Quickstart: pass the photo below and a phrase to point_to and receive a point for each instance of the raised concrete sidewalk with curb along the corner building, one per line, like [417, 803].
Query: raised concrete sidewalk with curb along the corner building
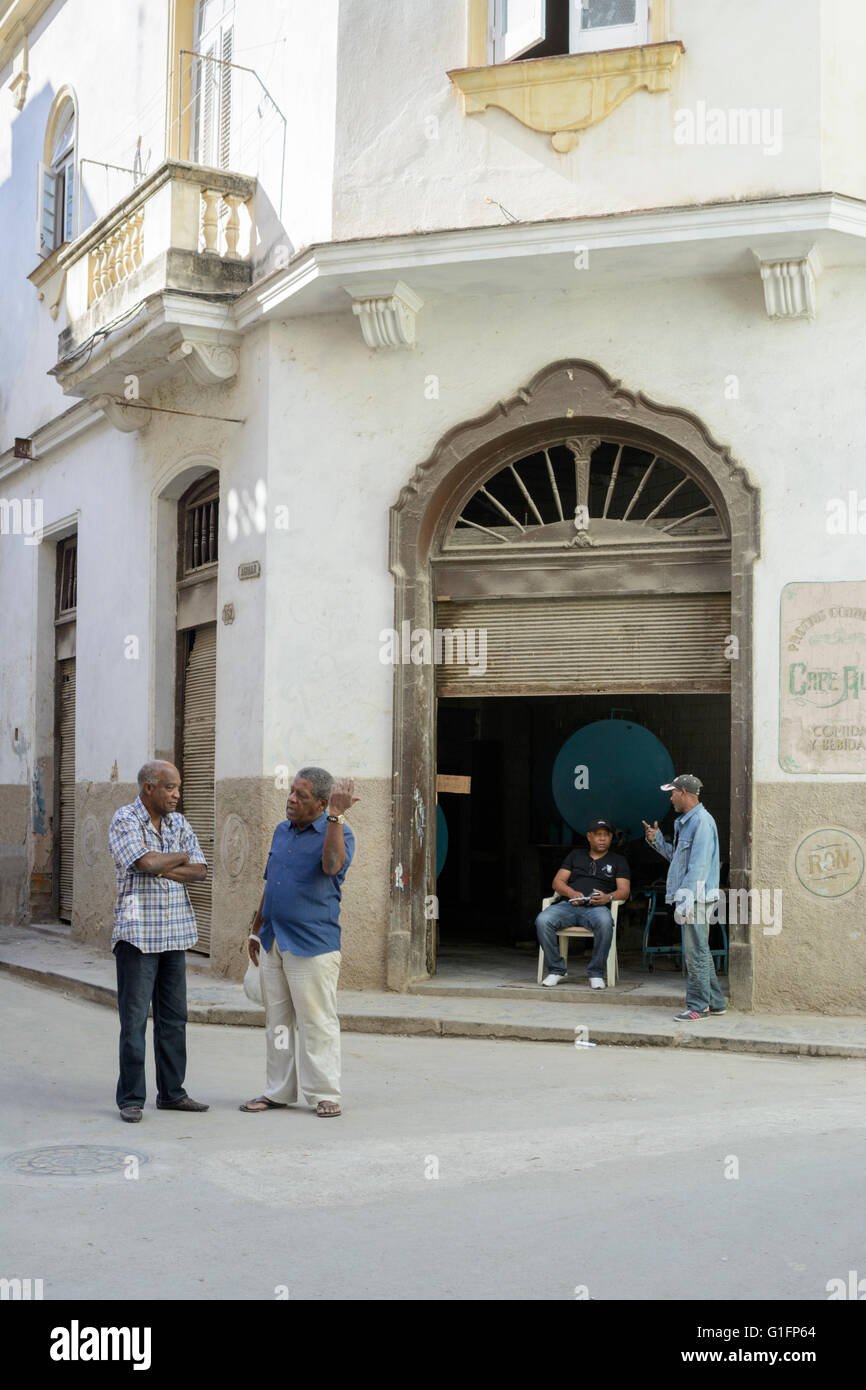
[47, 956]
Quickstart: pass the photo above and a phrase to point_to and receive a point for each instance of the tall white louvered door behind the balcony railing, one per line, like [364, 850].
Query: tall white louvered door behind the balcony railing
[213, 83]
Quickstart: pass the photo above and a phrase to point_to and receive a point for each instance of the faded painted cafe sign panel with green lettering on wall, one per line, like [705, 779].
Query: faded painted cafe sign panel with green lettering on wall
[824, 678]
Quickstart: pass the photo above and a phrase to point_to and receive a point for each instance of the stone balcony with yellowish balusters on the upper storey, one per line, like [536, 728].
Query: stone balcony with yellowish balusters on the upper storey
[147, 287]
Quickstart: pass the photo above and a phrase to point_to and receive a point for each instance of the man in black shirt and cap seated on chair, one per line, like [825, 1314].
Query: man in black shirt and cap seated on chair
[589, 881]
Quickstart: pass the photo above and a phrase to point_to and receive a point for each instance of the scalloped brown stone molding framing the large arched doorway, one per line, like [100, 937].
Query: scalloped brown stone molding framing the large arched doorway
[578, 398]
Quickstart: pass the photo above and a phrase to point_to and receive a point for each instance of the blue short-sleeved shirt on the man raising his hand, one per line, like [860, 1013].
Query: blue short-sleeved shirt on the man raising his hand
[301, 900]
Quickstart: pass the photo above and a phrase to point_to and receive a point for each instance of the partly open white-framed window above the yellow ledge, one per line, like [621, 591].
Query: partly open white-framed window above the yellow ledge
[546, 28]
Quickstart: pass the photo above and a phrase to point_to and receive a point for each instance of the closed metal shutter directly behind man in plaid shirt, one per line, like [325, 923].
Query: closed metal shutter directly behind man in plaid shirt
[198, 772]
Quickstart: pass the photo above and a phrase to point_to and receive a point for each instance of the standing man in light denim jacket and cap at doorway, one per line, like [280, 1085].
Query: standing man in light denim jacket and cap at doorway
[693, 885]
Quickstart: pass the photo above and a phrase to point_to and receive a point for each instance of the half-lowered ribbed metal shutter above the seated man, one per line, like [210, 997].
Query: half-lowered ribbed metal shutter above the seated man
[646, 643]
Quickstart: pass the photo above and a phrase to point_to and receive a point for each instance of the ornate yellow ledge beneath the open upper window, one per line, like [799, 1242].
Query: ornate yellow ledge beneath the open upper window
[566, 95]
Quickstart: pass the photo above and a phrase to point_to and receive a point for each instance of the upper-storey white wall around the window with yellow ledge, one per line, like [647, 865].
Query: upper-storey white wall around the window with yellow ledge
[409, 159]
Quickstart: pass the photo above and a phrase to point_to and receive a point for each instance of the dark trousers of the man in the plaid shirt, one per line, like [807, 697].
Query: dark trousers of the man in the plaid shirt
[156, 981]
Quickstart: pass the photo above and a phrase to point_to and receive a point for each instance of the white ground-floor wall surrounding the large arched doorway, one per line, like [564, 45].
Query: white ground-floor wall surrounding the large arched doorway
[354, 425]
